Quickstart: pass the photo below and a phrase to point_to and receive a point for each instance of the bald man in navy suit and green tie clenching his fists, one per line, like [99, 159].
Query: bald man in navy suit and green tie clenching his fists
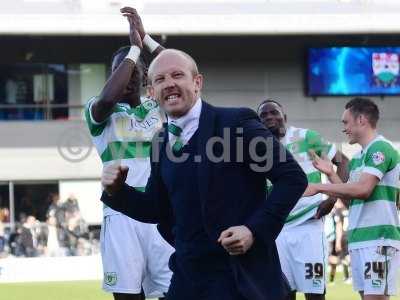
[207, 191]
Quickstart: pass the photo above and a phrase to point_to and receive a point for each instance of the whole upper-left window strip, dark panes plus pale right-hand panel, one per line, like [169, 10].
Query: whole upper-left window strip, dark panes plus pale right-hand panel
[38, 91]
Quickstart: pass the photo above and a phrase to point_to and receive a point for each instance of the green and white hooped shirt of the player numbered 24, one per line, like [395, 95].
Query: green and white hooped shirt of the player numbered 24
[375, 221]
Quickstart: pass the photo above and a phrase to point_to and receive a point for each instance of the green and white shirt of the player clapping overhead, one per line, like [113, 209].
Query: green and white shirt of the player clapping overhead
[126, 137]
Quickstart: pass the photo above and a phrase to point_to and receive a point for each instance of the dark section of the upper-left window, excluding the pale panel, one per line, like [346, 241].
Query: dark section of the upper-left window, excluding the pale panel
[33, 91]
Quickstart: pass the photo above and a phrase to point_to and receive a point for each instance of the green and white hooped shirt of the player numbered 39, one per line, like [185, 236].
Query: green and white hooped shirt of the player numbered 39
[298, 142]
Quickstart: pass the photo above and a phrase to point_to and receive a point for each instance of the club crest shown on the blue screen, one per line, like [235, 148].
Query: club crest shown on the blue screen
[386, 69]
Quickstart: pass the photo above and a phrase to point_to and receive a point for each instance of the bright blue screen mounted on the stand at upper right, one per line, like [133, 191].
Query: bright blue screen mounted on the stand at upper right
[343, 71]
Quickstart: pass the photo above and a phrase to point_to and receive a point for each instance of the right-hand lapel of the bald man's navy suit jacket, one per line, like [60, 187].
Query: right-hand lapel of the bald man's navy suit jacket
[205, 132]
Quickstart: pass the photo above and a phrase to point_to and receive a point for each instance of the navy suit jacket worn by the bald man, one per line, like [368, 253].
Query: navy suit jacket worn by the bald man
[232, 192]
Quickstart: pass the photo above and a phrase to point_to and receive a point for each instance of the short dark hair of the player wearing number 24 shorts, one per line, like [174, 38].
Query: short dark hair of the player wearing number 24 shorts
[364, 106]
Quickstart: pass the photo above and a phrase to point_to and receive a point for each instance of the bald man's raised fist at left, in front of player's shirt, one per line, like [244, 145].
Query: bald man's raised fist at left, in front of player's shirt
[113, 178]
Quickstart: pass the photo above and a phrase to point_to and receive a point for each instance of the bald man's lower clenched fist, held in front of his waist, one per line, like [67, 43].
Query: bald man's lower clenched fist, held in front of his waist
[236, 240]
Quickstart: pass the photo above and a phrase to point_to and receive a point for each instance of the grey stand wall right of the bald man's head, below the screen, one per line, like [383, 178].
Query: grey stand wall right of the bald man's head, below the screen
[247, 84]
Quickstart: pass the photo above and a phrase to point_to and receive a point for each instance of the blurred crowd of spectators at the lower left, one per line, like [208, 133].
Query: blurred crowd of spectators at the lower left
[63, 233]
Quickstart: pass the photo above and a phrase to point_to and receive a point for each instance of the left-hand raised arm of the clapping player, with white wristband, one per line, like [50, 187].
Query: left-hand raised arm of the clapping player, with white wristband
[119, 79]
